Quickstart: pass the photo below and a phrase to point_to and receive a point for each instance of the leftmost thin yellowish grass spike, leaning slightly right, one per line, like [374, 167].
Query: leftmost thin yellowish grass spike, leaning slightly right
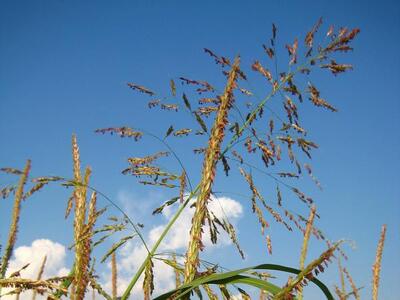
[12, 236]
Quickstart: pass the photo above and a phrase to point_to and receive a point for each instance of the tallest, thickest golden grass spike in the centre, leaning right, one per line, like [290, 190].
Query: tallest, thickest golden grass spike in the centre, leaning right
[208, 175]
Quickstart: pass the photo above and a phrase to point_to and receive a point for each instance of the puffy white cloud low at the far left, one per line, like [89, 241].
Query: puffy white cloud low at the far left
[34, 254]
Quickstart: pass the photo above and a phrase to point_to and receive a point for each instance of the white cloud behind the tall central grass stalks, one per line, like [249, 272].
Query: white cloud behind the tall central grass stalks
[132, 255]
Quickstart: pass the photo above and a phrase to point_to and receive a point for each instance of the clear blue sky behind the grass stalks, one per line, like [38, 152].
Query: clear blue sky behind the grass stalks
[64, 66]
